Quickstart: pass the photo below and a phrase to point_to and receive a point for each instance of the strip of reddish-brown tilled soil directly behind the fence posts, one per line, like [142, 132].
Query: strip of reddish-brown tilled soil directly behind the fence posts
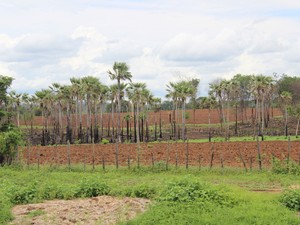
[230, 153]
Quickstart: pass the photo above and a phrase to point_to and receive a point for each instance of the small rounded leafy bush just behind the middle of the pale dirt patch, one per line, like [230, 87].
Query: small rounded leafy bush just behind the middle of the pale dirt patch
[91, 188]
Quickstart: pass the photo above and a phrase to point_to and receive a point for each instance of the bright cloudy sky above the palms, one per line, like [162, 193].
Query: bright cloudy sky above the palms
[162, 41]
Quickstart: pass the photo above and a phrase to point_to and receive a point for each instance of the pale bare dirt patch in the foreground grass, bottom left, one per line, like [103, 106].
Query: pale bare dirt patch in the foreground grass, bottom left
[98, 210]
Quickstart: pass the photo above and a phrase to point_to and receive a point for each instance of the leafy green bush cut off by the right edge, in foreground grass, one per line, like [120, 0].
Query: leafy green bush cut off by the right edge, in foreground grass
[291, 199]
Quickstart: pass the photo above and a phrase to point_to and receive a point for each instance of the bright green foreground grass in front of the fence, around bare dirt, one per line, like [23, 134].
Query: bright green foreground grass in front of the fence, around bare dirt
[180, 196]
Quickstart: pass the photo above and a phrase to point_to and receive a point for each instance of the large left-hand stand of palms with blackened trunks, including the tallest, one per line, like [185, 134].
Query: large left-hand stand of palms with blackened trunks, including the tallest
[75, 112]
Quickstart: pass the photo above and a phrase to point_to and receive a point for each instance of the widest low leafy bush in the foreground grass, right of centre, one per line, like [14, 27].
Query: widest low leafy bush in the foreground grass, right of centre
[190, 191]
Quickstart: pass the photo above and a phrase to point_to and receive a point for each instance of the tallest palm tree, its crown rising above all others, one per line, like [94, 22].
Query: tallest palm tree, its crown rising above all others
[120, 72]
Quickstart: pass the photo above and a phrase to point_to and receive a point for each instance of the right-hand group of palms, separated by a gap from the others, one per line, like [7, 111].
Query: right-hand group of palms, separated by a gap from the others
[258, 92]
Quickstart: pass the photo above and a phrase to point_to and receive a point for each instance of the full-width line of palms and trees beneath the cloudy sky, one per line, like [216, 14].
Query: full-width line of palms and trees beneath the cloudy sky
[87, 110]
